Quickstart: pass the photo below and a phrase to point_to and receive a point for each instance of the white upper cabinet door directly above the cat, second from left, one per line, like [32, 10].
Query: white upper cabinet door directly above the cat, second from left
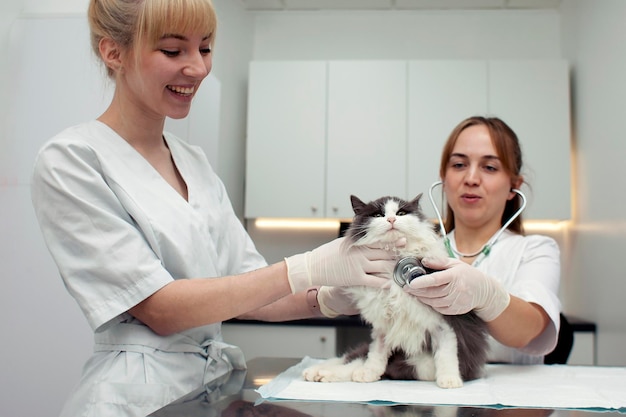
[366, 132]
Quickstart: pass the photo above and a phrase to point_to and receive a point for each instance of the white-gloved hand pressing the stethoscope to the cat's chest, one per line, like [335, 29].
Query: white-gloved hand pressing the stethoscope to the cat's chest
[457, 288]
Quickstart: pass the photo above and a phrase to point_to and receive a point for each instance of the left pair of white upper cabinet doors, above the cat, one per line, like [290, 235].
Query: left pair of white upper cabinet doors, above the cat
[319, 132]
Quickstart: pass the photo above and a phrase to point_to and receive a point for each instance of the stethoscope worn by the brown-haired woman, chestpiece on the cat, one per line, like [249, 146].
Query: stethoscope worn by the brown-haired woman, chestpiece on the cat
[409, 268]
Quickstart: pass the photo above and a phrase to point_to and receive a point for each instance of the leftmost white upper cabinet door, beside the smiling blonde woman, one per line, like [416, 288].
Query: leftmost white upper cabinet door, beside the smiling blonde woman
[286, 139]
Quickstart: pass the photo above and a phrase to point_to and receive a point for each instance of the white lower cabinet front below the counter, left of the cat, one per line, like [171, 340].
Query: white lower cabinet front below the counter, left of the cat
[276, 340]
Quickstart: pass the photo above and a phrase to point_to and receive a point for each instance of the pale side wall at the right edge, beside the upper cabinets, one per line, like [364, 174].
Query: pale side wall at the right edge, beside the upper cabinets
[593, 40]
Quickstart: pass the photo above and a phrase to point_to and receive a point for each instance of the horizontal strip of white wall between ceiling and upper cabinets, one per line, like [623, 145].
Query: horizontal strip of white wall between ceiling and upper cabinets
[407, 35]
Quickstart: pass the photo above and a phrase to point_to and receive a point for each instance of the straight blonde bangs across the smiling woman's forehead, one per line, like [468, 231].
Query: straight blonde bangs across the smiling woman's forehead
[164, 17]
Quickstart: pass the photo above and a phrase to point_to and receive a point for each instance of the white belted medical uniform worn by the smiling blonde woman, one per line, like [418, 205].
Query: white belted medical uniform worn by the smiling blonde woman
[118, 233]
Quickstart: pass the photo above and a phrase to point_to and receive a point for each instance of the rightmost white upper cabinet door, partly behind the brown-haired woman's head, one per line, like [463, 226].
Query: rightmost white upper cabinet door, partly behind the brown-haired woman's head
[533, 98]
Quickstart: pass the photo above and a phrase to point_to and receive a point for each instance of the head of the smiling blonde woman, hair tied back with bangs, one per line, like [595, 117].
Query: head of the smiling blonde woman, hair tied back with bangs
[158, 52]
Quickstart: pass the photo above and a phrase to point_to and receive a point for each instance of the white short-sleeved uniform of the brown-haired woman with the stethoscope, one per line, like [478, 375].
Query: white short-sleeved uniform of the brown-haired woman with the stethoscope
[529, 267]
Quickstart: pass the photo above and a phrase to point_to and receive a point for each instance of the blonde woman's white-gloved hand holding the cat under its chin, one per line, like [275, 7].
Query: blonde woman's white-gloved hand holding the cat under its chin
[337, 264]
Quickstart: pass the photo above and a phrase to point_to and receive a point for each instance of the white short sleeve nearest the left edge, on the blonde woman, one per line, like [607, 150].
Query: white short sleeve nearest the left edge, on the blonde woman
[102, 256]
